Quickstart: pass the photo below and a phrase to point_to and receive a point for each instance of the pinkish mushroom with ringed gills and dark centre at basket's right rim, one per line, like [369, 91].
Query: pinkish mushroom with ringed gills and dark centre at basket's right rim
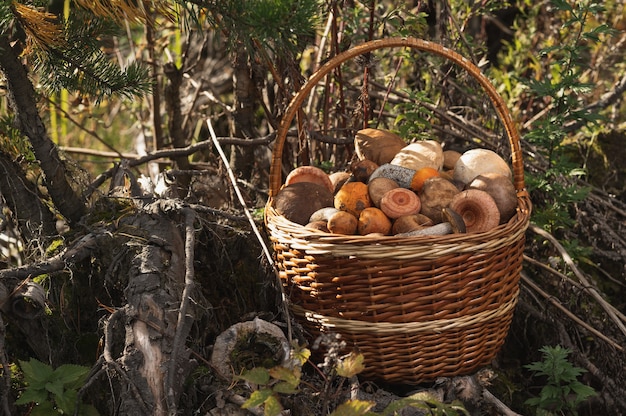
[478, 210]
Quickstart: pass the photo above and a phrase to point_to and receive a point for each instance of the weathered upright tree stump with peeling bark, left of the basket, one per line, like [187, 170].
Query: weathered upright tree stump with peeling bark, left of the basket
[155, 358]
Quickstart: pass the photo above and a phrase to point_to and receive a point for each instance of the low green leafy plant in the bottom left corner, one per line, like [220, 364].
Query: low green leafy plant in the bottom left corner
[53, 391]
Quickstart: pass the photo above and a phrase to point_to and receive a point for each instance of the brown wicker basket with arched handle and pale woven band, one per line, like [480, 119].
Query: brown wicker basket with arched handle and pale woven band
[418, 308]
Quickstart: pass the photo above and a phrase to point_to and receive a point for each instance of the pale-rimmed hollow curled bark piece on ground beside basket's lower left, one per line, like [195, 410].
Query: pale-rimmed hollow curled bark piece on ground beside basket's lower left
[249, 344]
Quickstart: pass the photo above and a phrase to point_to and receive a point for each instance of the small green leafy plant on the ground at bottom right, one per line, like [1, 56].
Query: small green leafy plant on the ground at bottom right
[562, 392]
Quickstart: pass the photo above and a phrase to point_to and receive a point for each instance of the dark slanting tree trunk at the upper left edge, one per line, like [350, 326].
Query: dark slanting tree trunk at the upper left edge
[22, 99]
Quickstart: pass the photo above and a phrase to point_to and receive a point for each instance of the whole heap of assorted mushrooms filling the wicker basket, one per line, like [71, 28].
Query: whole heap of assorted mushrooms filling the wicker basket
[402, 189]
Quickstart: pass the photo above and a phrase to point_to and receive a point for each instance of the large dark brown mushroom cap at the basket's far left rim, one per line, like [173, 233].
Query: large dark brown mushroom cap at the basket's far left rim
[298, 201]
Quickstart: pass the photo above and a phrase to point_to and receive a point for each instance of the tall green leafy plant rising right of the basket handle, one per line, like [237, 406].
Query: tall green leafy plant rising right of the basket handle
[563, 88]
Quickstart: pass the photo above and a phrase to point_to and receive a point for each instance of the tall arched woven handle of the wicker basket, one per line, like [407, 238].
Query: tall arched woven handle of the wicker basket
[275, 179]
